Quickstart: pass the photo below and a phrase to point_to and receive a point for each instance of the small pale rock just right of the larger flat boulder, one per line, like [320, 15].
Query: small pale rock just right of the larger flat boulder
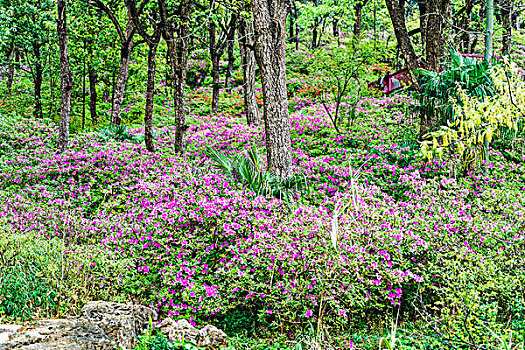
[210, 336]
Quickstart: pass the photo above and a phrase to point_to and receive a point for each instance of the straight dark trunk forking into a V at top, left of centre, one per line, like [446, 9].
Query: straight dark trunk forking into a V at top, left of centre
[175, 29]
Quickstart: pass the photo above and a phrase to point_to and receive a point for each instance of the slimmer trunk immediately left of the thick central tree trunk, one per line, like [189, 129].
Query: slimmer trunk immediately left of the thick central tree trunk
[248, 71]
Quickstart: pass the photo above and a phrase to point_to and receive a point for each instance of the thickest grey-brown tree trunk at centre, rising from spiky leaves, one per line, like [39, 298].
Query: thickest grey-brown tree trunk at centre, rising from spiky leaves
[270, 50]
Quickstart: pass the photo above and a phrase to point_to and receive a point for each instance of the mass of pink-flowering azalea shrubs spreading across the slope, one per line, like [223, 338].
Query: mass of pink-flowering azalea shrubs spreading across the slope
[182, 237]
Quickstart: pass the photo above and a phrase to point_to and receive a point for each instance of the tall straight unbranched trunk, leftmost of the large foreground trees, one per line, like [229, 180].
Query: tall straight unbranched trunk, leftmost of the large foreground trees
[66, 78]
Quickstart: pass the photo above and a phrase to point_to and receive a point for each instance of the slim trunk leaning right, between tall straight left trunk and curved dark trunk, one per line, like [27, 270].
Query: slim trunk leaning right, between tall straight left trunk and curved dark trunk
[122, 77]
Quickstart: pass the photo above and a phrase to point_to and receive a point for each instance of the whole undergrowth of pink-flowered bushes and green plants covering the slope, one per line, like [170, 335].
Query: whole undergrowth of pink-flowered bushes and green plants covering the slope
[368, 237]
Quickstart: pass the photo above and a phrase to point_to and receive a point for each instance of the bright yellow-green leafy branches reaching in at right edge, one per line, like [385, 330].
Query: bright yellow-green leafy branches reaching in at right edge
[475, 121]
